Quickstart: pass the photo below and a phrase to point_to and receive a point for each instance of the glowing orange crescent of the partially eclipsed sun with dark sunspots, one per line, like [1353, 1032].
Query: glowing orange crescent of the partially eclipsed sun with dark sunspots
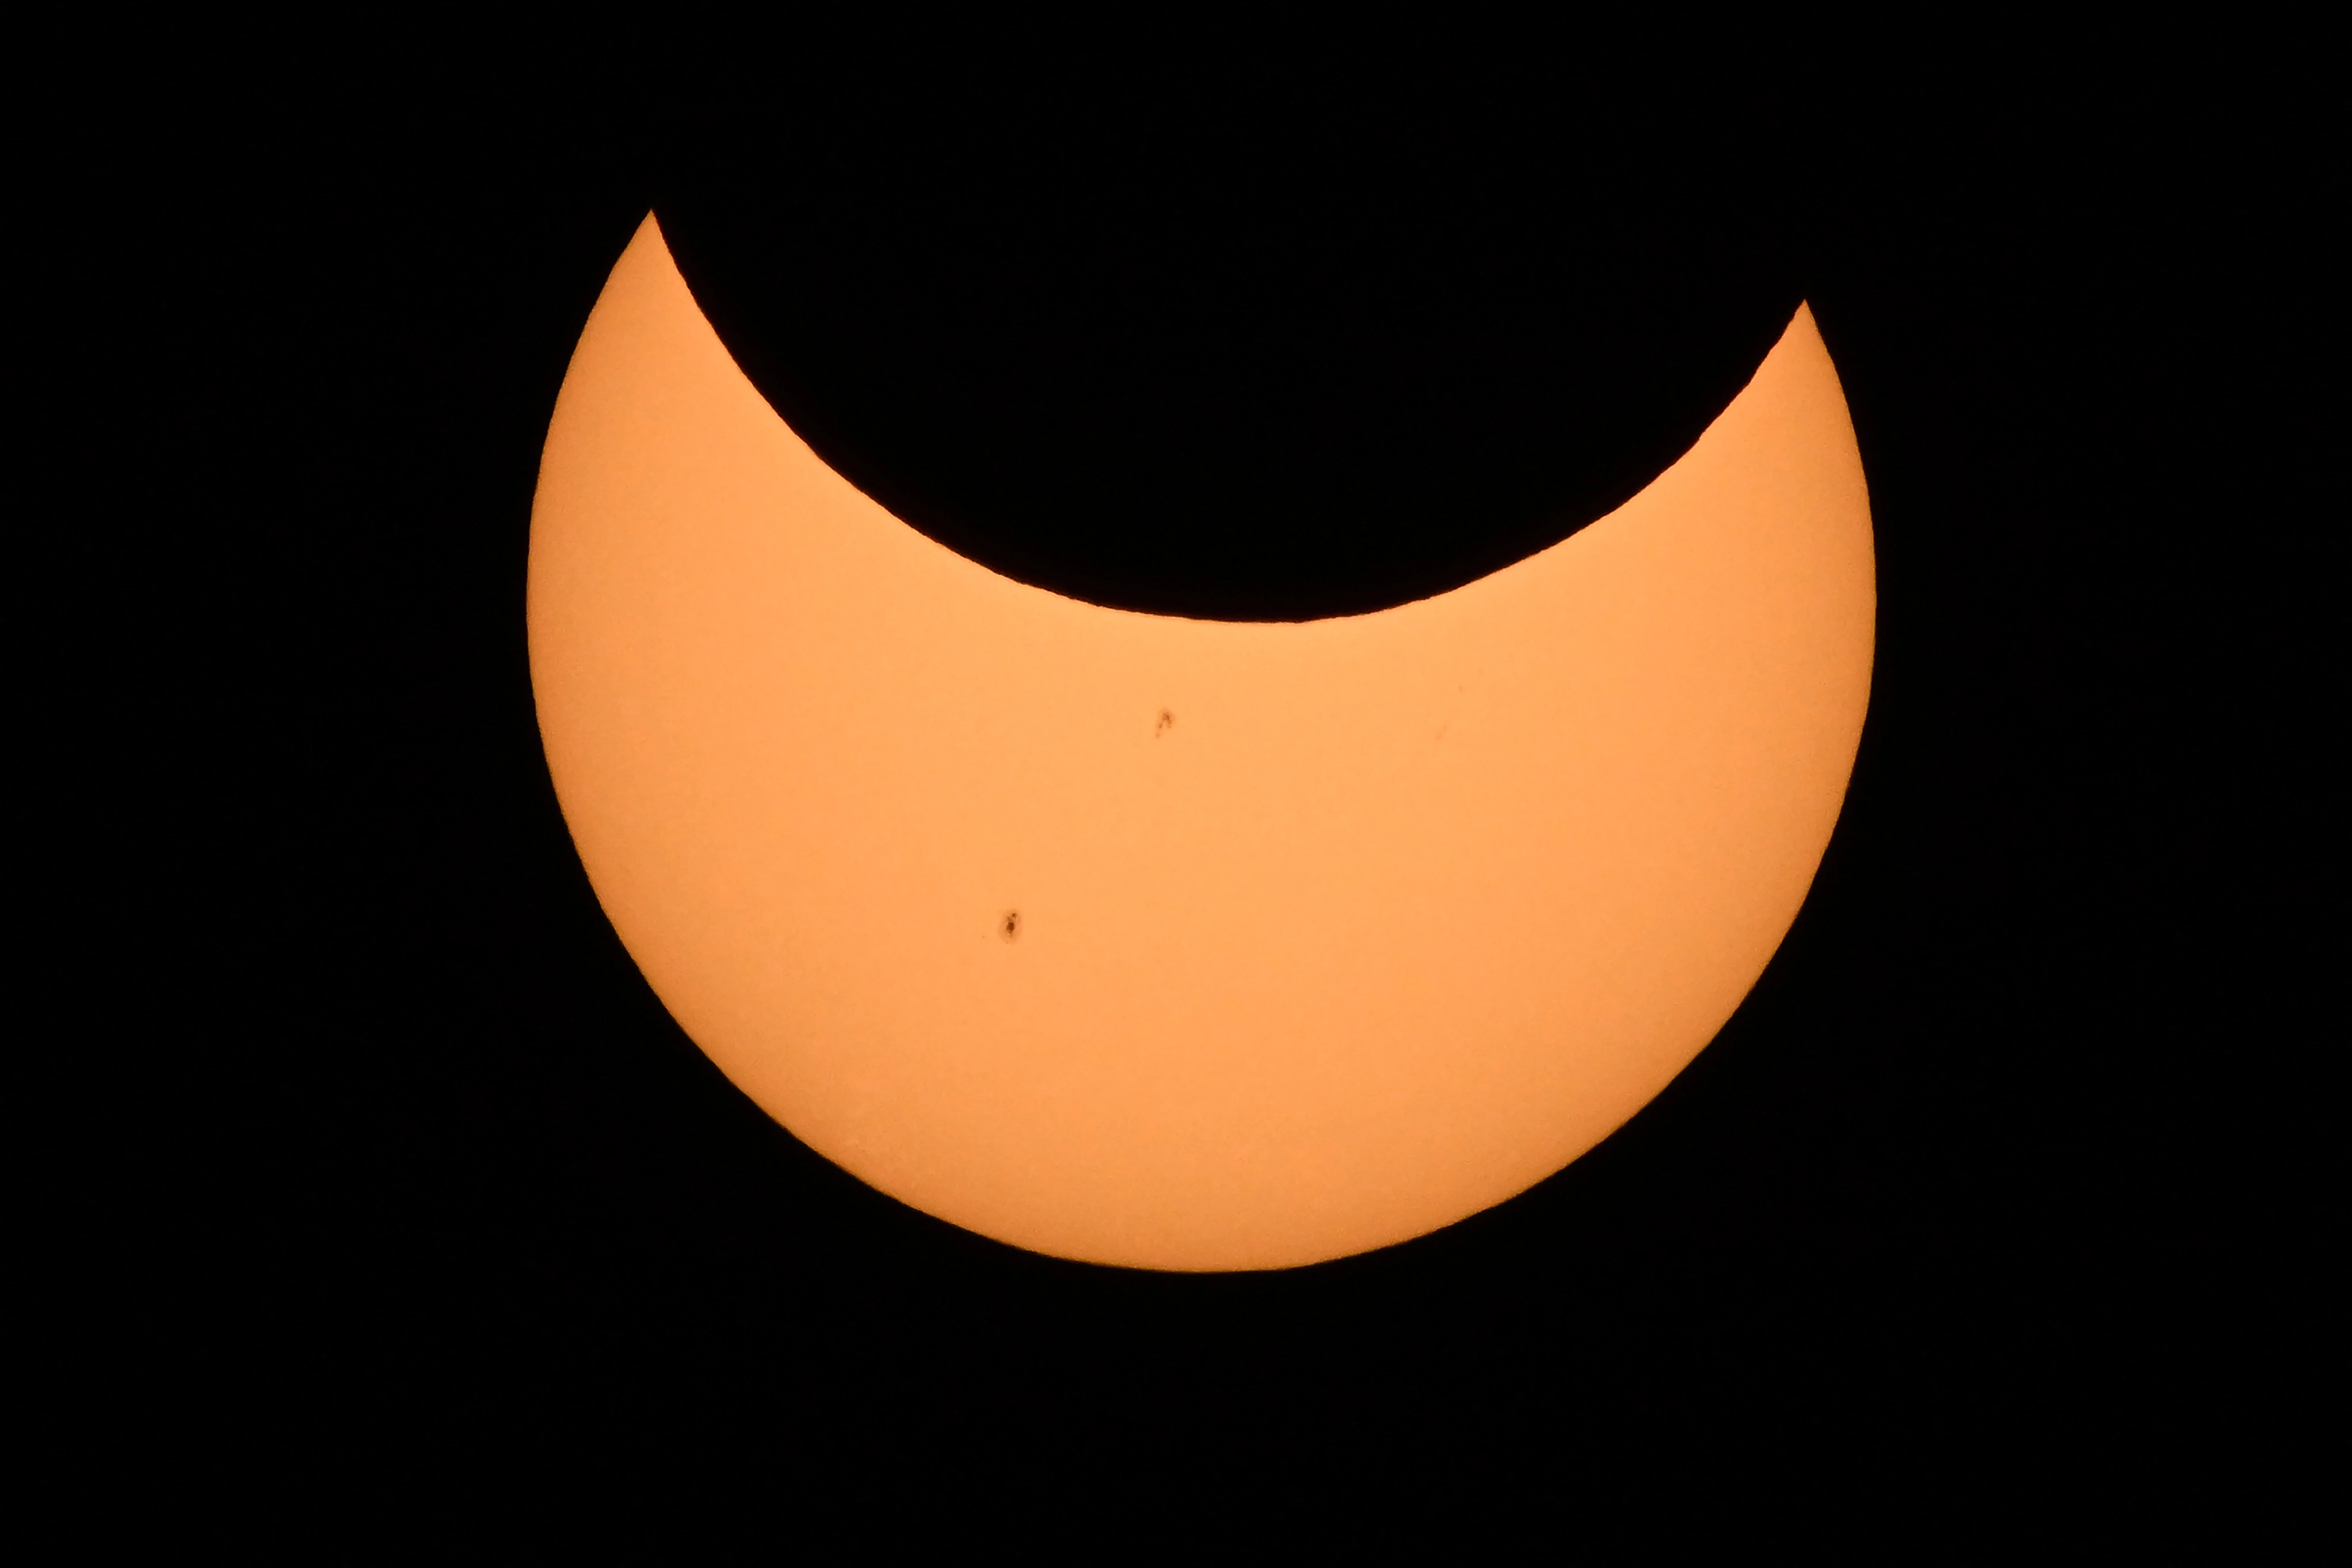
[1184, 944]
